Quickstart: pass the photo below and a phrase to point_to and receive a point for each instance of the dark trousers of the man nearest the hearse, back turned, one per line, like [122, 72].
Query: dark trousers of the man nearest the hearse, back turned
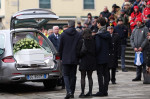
[69, 74]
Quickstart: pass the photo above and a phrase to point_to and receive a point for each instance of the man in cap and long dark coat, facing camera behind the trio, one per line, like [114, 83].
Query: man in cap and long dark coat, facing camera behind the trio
[114, 53]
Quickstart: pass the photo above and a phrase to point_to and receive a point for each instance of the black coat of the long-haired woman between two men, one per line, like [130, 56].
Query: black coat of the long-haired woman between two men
[88, 59]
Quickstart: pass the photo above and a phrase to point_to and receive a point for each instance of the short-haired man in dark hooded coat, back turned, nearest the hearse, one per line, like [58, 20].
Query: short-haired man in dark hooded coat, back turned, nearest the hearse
[68, 54]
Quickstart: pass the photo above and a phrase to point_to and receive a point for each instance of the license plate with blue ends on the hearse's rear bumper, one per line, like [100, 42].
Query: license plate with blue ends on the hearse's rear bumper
[35, 77]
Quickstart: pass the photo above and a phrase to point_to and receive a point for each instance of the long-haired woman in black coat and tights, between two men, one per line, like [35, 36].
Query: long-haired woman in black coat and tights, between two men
[88, 61]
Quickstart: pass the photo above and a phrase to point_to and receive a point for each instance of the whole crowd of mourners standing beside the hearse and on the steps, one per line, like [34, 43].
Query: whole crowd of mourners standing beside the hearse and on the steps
[100, 42]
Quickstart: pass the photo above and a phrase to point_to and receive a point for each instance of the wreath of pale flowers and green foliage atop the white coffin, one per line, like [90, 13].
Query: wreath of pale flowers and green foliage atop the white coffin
[26, 43]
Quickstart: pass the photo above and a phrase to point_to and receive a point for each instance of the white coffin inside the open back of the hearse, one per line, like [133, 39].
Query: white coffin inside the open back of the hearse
[30, 56]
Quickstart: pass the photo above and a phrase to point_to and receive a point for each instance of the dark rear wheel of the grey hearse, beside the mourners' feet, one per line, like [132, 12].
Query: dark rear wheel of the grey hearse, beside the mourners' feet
[50, 84]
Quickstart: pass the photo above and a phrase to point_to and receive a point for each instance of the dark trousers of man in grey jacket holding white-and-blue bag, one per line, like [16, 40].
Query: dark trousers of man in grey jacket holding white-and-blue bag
[142, 68]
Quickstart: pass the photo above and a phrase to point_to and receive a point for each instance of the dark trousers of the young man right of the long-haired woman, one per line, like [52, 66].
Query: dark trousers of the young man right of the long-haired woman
[103, 77]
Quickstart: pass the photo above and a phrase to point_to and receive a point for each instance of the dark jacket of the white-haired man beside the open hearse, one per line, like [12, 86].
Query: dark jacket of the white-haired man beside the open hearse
[54, 40]
